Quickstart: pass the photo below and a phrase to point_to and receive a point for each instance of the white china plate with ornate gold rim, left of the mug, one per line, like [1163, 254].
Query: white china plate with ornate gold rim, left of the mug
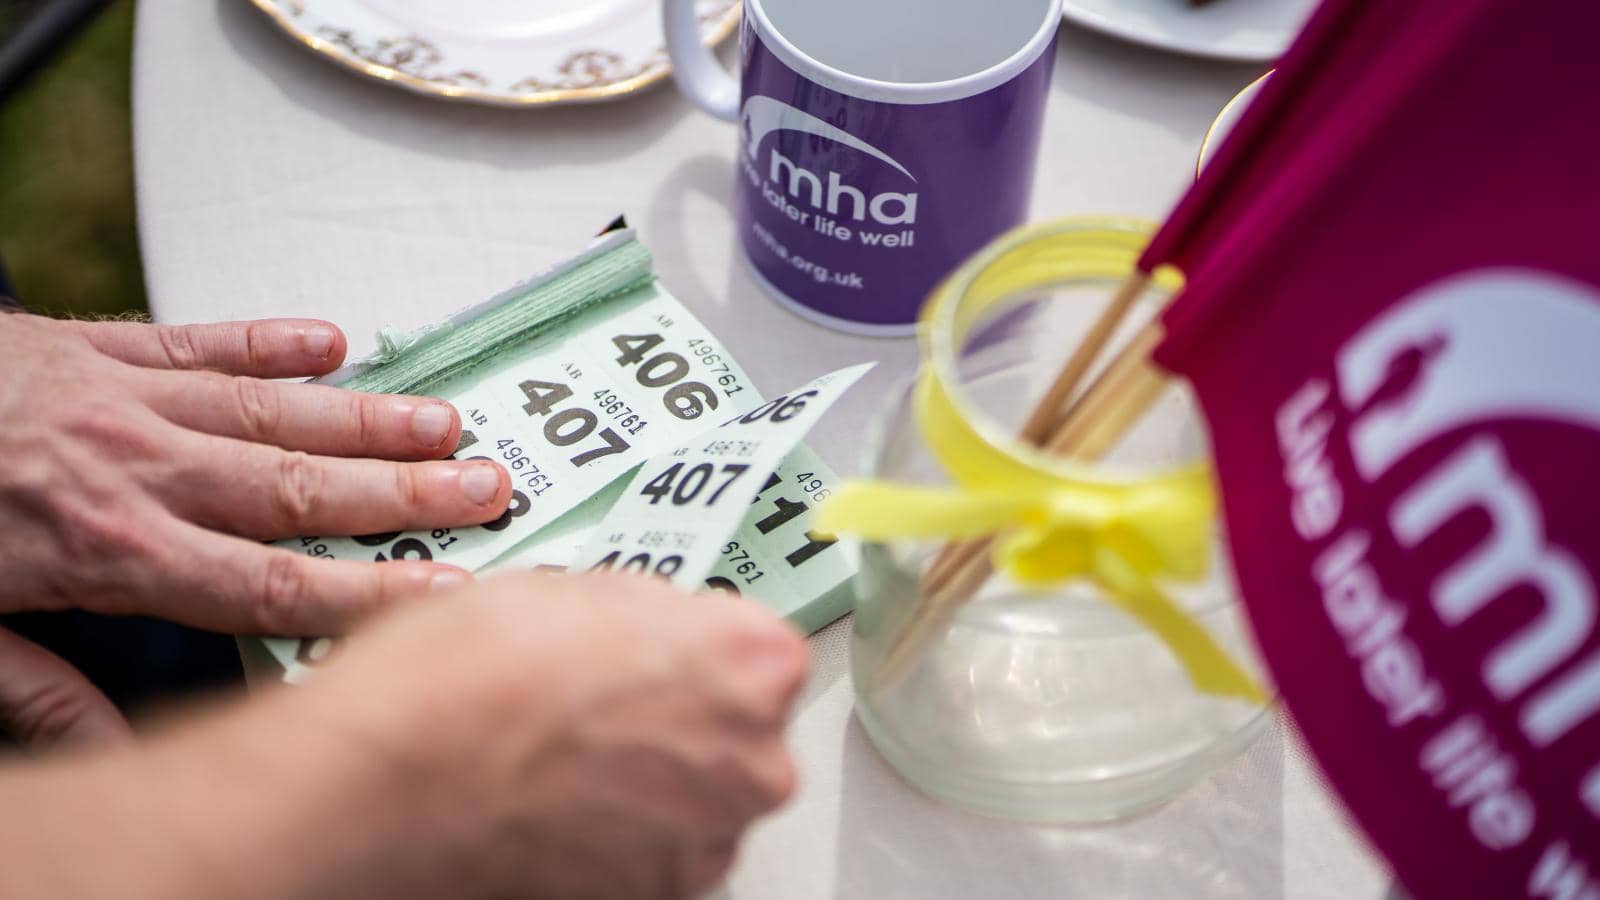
[498, 52]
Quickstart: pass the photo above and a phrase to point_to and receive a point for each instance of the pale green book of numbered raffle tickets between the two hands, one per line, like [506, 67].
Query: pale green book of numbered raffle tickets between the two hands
[578, 379]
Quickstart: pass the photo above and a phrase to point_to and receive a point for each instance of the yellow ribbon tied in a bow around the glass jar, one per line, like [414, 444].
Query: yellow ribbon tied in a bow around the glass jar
[1055, 521]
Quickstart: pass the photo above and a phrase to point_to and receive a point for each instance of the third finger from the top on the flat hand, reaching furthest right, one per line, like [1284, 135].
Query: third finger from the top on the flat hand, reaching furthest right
[268, 494]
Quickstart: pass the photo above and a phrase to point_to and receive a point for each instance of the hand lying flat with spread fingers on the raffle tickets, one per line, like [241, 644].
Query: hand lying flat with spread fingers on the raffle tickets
[143, 465]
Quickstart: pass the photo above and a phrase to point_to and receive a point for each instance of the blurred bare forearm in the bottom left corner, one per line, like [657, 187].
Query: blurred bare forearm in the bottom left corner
[254, 803]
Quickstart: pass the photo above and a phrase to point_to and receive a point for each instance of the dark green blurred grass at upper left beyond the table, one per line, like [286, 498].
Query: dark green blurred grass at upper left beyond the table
[68, 230]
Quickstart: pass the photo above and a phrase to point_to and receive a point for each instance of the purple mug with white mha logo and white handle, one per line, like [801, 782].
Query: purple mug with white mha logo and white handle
[881, 142]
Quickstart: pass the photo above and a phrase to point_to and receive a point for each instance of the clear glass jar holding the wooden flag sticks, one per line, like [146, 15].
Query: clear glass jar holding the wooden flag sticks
[1046, 705]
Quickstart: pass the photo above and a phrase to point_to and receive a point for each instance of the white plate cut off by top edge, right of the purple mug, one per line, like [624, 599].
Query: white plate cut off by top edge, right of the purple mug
[1250, 31]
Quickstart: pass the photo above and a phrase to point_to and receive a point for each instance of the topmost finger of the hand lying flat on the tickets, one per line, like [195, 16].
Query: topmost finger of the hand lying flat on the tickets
[271, 348]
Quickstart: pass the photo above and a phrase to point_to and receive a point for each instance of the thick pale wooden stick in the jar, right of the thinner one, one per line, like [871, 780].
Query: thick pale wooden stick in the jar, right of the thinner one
[1118, 400]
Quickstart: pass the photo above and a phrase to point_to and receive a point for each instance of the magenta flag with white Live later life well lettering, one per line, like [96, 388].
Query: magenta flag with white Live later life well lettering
[1396, 337]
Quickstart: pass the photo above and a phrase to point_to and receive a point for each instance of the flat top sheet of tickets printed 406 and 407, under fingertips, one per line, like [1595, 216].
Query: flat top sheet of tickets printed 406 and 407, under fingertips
[570, 416]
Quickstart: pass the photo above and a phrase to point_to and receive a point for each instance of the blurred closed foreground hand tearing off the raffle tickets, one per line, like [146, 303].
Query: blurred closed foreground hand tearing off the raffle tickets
[543, 737]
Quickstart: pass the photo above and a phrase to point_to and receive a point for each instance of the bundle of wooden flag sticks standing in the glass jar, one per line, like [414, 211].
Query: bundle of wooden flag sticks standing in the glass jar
[1070, 422]
